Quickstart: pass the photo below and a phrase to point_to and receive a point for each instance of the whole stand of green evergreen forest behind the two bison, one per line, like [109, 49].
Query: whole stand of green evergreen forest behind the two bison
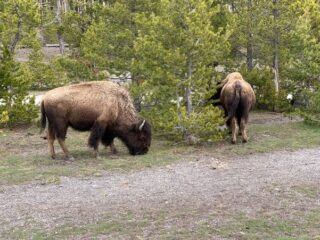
[171, 54]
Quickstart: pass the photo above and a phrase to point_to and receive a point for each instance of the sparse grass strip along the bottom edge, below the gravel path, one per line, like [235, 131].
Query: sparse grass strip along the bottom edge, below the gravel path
[184, 224]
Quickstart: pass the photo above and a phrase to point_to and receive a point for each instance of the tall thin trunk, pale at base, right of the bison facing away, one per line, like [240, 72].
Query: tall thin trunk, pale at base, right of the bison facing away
[276, 41]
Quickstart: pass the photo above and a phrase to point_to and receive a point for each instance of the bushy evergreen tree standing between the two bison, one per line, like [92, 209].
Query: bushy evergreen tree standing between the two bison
[176, 49]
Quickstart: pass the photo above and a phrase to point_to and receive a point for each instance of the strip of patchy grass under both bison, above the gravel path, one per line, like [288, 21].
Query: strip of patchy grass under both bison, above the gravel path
[24, 156]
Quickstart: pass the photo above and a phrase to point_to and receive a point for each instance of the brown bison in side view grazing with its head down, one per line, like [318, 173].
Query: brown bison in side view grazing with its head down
[102, 107]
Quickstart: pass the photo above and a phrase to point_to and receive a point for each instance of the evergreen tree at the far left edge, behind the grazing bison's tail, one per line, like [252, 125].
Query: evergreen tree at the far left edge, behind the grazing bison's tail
[19, 20]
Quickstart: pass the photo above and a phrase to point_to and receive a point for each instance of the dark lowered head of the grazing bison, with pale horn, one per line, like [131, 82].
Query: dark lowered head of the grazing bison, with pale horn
[138, 138]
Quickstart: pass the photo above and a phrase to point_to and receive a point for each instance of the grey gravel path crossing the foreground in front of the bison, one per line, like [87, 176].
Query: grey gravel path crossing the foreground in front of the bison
[252, 184]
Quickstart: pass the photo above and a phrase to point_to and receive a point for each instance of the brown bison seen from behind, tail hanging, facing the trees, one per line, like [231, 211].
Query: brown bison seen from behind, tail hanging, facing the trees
[237, 98]
